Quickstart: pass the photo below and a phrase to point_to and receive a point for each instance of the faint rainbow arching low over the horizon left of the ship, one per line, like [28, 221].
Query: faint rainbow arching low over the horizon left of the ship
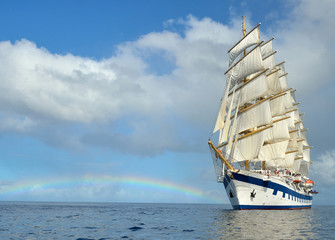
[25, 187]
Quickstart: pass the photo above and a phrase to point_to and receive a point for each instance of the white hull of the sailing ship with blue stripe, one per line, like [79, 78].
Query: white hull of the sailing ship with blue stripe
[249, 190]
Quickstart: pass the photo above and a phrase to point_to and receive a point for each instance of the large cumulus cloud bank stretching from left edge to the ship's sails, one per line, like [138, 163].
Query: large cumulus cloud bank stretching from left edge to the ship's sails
[119, 101]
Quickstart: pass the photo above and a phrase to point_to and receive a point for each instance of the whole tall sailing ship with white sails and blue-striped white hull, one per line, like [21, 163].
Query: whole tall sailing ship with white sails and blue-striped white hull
[262, 156]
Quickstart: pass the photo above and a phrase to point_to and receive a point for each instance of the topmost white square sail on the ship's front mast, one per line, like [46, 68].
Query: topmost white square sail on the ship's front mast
[249, 40]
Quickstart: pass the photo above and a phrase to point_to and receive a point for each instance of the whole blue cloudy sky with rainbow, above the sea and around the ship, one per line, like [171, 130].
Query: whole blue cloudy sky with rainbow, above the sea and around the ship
[114, 101]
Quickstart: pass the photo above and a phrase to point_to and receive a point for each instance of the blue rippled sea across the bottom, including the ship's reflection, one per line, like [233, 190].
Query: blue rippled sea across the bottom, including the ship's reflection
[83, 221]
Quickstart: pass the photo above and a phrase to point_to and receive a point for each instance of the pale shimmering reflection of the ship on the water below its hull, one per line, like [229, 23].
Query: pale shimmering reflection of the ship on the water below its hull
[265, 224]
